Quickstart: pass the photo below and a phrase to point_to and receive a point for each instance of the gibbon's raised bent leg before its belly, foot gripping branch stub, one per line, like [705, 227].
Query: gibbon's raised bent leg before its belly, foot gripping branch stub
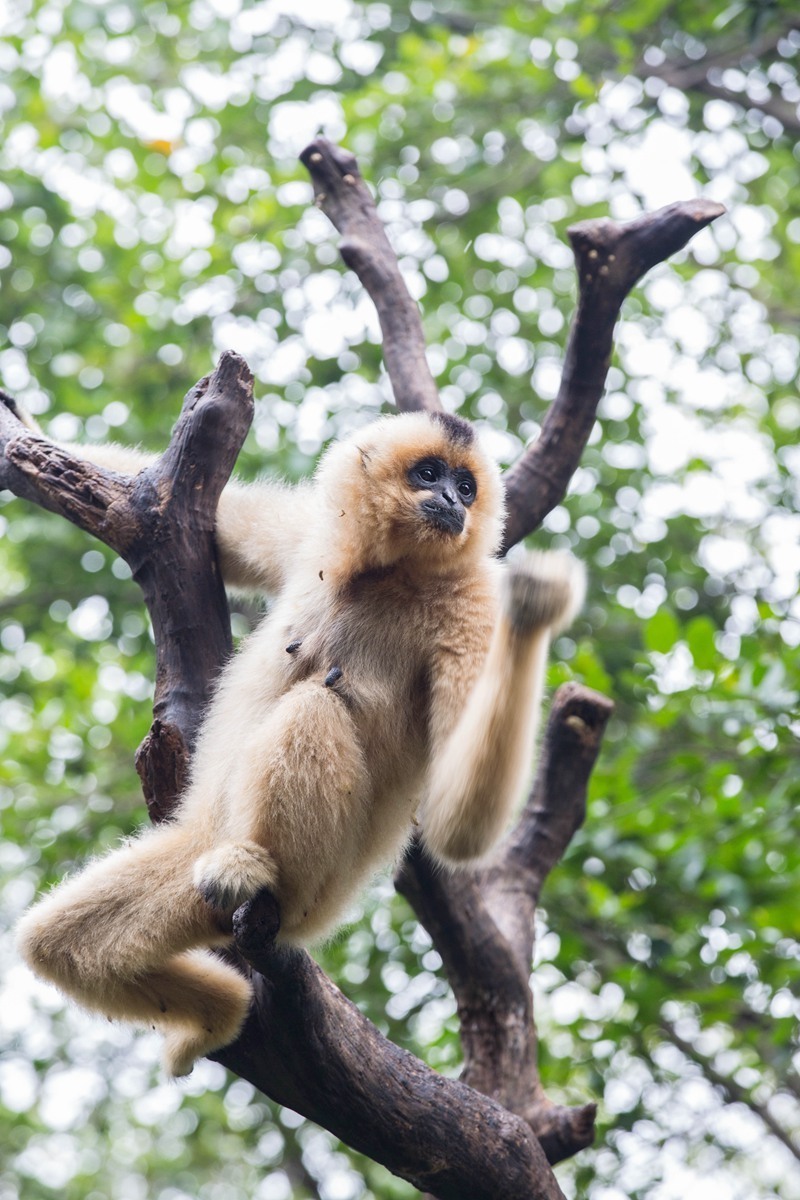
[298, 801]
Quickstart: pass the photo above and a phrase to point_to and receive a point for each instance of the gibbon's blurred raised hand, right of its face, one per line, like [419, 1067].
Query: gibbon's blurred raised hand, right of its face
[544, 590]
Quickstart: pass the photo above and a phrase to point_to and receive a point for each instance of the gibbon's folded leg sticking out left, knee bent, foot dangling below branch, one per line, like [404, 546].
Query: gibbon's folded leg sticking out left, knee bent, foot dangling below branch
[116, 939]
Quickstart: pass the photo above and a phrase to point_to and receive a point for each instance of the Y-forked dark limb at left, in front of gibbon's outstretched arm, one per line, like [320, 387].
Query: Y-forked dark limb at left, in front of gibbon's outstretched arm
[161, 523]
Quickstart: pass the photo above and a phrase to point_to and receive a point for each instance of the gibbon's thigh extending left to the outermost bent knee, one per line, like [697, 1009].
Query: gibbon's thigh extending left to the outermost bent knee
[127, 913]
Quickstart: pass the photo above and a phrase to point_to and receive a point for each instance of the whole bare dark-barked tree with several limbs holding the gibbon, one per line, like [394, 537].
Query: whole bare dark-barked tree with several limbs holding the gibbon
[494, 1133]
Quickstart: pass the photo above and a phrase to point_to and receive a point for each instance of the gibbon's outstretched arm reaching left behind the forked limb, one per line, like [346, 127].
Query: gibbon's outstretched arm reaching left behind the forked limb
[258, 529]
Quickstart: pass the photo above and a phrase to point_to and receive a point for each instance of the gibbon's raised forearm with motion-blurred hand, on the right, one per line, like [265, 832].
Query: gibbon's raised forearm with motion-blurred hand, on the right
[479, 767]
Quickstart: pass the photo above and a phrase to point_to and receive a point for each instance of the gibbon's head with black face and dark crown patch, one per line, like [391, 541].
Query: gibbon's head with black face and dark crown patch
[416, 487]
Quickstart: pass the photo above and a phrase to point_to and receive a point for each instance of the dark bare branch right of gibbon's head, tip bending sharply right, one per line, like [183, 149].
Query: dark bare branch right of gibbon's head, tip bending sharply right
[610, 259]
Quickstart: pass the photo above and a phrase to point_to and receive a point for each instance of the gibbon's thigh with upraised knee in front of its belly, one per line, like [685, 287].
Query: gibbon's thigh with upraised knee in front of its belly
[302, 788]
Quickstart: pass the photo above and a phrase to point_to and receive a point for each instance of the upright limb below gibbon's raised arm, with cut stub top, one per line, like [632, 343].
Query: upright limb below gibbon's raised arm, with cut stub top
[483, 926]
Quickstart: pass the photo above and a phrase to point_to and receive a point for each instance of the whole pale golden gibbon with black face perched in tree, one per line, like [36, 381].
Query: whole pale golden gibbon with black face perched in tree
[396, 679]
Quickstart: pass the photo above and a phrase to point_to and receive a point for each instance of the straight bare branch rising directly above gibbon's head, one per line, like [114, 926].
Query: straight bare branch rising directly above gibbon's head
[346, 200]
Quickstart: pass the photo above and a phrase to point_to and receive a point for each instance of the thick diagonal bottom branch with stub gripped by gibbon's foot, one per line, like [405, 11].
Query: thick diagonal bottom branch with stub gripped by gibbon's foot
[311, 1049]
